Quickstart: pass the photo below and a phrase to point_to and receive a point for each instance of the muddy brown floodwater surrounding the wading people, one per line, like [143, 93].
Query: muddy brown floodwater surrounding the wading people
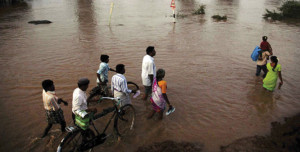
[211, 78]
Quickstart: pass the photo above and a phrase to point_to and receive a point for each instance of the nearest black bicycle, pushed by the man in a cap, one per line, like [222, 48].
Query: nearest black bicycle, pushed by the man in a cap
[79, 139]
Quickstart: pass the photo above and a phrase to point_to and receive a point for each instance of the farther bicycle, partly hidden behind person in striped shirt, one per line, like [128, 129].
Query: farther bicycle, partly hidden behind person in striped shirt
[99, 92]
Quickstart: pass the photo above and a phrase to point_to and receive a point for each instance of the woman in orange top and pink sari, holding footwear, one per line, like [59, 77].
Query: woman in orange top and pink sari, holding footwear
[159, 96]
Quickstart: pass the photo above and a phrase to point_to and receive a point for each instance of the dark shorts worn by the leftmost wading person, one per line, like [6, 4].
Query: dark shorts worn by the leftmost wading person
[55, 117]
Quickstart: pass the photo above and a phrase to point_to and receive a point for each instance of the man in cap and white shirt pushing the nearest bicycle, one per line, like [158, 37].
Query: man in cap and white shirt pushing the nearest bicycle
[79, 102]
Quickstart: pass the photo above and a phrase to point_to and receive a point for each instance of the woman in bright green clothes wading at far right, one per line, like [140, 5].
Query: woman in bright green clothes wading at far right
[274, 71]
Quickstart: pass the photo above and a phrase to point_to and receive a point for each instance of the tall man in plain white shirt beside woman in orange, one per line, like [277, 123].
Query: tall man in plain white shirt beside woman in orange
[148, 71]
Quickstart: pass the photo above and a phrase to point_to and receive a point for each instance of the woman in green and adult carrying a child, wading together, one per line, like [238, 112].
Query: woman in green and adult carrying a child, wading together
[271, 70]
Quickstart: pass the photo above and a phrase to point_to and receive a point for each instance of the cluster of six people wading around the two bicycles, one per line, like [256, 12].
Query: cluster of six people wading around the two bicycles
[152, 80]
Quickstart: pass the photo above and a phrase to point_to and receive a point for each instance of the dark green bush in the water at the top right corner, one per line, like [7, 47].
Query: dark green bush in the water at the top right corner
[289, 9]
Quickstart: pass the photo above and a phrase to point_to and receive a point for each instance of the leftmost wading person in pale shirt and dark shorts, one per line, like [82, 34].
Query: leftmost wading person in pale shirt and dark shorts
[51, 102]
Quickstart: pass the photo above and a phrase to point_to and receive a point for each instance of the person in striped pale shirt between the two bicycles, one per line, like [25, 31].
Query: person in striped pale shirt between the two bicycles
[119, 86]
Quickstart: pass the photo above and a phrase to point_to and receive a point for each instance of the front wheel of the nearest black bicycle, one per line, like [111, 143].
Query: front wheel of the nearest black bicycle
[124, 120]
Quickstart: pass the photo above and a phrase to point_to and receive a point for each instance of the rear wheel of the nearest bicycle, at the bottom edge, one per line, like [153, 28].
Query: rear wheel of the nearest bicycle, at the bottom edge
[74, 140]
